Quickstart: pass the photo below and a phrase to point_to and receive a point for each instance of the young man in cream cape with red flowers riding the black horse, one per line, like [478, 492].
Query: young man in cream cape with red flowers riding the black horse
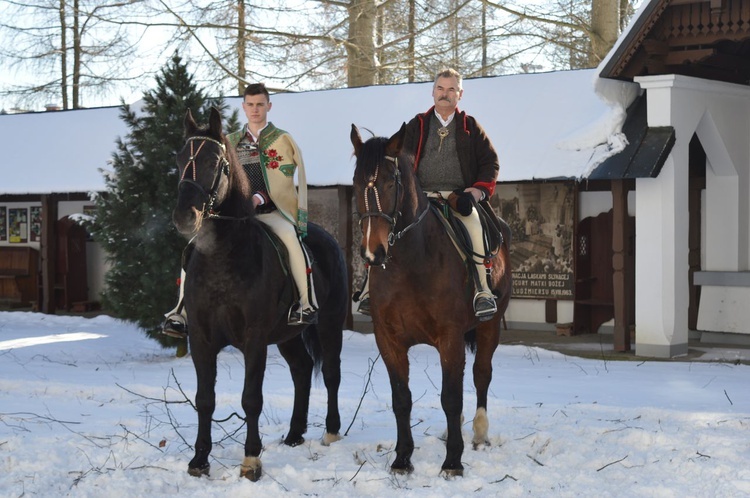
[270, 157]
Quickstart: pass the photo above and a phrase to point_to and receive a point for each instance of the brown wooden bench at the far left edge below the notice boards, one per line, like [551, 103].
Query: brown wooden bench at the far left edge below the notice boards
[19, 274]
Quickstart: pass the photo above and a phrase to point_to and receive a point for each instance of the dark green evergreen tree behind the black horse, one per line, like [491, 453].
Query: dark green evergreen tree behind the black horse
[134, 216]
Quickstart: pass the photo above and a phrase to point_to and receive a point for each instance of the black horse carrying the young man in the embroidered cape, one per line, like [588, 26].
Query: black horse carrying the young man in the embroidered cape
[237, 292]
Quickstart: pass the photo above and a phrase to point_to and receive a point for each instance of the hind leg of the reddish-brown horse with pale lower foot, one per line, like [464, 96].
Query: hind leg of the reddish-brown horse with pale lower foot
[488, 336]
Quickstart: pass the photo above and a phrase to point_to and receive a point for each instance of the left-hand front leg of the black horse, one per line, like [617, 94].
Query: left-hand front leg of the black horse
[205, 403]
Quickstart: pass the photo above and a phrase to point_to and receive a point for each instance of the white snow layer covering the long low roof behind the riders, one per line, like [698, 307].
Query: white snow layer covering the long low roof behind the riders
[543, 125]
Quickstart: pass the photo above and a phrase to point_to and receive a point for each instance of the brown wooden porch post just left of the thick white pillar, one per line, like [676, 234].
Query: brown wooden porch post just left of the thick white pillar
[621, 340]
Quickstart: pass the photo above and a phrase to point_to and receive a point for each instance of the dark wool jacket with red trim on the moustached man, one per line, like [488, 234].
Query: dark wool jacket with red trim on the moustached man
[477, 156]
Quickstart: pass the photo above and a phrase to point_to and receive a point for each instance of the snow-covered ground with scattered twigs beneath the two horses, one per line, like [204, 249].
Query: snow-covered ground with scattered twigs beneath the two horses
[91, 407]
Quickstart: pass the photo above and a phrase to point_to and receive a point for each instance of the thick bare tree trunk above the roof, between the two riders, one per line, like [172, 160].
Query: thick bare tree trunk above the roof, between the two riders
[361, 44]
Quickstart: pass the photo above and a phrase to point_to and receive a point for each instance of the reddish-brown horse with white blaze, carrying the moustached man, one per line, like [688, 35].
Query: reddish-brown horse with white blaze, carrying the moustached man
[421, 293]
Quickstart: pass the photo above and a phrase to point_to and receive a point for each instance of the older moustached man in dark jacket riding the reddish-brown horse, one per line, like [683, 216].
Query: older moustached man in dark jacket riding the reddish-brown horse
[453, 155]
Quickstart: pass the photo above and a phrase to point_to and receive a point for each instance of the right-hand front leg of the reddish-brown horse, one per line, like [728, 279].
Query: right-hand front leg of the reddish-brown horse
[453, 360]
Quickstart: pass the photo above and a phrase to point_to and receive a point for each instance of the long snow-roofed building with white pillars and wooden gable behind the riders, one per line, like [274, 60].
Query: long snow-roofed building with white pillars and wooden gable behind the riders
[627, 184]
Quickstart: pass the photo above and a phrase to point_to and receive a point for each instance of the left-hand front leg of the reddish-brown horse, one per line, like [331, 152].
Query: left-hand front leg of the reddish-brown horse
[397, 362]
